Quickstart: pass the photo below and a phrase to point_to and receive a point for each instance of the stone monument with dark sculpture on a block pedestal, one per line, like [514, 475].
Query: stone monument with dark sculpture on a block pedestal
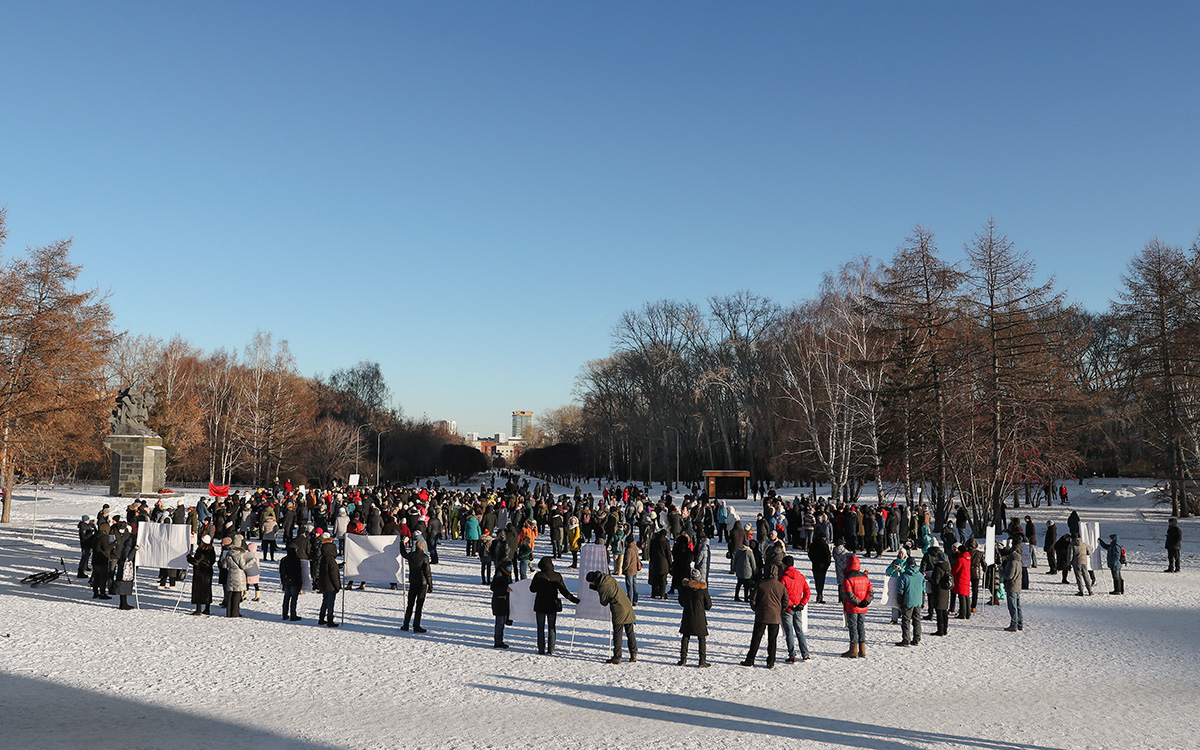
[140, 461]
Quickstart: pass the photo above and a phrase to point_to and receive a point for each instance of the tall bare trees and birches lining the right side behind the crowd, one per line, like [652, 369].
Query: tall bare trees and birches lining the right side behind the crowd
[973, 380]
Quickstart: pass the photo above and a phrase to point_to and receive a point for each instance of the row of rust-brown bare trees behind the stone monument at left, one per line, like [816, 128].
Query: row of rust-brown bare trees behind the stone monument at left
[225, 417]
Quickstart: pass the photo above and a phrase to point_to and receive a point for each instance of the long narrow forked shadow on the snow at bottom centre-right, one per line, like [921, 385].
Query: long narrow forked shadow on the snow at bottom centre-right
[728, 716]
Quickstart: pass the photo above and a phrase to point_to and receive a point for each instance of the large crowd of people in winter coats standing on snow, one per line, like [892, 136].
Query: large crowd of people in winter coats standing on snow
[933, 577]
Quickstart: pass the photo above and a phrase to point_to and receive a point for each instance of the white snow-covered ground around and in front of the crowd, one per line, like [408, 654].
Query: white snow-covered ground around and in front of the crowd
[1088, 673]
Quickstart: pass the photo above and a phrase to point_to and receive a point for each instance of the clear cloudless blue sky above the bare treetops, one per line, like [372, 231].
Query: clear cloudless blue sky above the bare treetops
[472, 194]
